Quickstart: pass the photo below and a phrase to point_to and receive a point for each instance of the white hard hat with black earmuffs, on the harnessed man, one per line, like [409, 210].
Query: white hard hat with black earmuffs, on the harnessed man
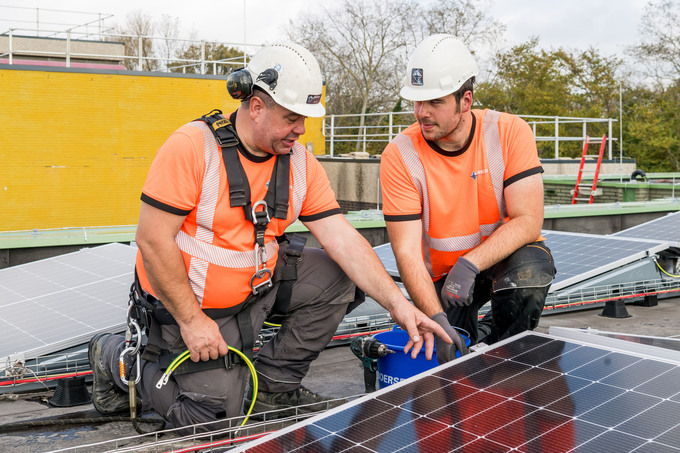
[297, 84]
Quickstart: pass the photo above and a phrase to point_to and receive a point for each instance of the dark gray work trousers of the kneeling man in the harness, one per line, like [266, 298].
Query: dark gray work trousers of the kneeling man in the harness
[321, 296]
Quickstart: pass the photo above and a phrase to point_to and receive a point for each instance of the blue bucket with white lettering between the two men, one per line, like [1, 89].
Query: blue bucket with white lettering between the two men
[396, 367]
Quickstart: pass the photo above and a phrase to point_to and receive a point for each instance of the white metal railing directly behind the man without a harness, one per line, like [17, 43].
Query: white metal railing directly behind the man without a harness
[346, 133]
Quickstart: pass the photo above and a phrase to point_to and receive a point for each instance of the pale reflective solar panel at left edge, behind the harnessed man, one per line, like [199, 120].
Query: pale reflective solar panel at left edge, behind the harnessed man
[60, 302]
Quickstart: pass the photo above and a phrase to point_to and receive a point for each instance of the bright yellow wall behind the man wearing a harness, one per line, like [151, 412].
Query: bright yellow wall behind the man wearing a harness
[75, 146]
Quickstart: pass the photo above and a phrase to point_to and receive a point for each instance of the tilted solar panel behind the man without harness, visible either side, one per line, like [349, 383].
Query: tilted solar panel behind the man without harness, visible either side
[577, 256]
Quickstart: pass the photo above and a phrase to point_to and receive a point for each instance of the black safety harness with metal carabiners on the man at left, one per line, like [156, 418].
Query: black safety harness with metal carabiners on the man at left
[147, 314]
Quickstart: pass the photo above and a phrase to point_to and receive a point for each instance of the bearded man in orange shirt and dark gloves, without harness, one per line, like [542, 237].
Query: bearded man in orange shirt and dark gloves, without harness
[463, 203]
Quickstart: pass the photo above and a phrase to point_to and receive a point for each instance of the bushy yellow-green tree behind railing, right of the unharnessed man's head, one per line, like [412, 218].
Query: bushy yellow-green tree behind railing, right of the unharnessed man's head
[528, 80]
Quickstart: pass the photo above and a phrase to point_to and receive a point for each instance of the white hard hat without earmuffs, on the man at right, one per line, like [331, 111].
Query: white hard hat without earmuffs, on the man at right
[439, 66]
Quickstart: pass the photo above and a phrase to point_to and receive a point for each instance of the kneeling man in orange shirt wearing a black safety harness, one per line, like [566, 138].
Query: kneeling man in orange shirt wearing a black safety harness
[212, 265]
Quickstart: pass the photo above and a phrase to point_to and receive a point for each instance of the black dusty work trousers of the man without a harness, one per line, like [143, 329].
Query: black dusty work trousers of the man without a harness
[517, 288]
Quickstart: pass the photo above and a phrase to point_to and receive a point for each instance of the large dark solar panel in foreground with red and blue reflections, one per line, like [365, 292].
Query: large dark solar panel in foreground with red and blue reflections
[532, 392]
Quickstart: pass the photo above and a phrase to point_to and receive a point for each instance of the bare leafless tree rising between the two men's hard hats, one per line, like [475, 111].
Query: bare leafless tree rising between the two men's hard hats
[357, 51]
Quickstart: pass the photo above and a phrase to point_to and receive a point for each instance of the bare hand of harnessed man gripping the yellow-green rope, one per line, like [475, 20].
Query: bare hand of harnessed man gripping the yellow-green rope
[203, 339]
